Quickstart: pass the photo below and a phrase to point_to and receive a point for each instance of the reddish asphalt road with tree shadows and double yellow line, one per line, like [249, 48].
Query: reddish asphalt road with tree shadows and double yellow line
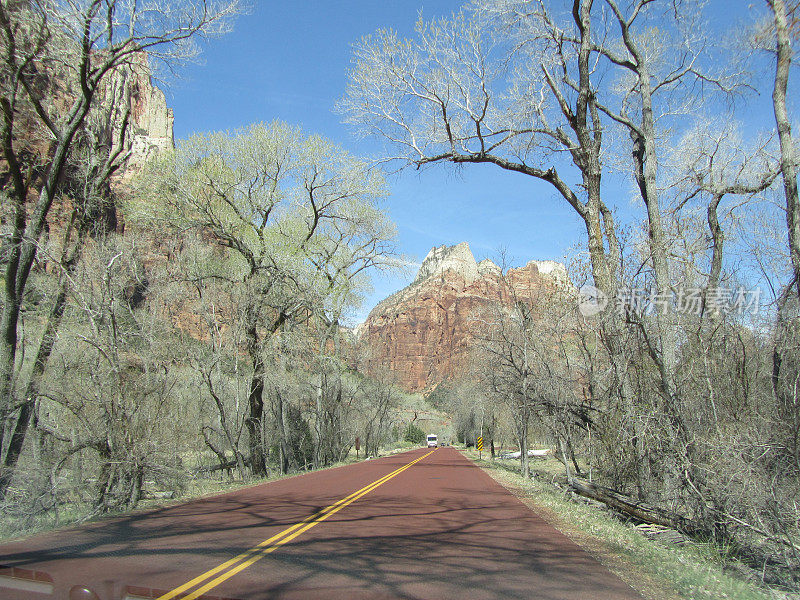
[421, 524]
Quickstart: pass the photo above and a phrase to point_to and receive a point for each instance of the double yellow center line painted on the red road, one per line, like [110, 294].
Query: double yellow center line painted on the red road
[212, 578]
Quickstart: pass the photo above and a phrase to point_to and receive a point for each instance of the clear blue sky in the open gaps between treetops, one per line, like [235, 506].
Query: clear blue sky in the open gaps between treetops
[288, 61]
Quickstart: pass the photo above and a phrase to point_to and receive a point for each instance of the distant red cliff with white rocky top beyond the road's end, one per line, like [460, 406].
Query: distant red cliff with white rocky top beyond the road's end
[424, 332]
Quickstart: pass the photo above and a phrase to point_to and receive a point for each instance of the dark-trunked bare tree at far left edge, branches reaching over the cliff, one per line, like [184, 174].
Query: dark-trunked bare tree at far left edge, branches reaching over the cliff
[56, 58]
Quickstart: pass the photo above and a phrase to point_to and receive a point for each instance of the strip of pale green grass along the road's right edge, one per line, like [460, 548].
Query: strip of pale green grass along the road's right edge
[694, 571]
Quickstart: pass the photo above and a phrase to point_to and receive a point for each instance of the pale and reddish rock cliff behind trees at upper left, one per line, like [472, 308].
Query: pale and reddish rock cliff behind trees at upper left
[127, 90]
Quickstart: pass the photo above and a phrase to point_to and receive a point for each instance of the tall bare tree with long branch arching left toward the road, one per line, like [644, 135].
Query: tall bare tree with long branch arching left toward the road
[470, 90]
